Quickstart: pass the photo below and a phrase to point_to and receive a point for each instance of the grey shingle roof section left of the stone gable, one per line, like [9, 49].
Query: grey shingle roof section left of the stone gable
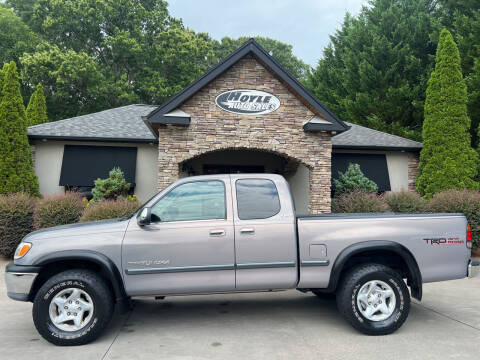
[123, 124]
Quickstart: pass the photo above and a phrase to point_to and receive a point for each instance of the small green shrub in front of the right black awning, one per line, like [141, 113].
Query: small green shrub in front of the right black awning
[353, 180]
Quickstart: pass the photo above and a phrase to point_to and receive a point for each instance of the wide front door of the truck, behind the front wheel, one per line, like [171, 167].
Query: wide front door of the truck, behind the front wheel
[189, 245]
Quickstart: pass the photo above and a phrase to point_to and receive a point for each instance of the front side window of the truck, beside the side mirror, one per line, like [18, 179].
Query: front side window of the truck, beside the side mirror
[200, 200]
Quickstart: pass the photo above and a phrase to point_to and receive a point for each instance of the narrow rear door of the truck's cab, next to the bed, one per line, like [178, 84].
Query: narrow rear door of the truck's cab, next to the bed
[265, 236]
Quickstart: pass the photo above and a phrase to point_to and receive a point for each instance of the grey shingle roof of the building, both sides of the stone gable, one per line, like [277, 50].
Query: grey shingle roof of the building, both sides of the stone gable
[125, 124]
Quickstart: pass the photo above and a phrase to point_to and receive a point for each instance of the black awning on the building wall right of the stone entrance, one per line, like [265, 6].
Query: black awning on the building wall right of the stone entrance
[373, 166]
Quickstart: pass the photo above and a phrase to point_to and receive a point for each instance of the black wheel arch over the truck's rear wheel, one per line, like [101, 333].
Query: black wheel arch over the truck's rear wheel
[375, 249]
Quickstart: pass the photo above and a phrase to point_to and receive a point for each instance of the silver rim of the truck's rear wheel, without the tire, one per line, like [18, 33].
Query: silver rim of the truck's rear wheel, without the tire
[376, 300]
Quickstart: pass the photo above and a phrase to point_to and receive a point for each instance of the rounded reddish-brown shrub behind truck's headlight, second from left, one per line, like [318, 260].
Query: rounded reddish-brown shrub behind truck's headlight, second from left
[59, 209]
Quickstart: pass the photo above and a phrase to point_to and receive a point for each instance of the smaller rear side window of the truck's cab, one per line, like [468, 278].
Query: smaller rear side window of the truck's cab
[257, 199]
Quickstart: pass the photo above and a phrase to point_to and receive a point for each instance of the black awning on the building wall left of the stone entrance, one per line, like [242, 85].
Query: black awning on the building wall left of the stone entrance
[82, 164]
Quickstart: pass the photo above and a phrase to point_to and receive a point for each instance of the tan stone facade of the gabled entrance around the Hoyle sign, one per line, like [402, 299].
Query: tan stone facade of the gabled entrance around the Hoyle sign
[279, 132]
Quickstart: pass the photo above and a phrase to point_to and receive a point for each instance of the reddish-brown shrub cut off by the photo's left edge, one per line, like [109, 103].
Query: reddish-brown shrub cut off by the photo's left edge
[16, 221]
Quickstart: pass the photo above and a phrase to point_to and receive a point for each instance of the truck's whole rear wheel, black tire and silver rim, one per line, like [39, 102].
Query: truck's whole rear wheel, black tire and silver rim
[374, 299]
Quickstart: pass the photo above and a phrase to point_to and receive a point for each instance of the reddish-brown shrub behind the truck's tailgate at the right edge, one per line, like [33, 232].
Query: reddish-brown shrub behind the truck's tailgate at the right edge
[460, 201]
